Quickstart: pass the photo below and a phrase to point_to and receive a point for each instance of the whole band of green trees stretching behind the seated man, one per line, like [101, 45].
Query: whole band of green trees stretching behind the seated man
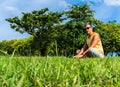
[59, 33]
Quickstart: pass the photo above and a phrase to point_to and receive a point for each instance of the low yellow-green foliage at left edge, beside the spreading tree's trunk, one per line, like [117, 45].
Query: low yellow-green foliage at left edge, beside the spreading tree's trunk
[21, 47]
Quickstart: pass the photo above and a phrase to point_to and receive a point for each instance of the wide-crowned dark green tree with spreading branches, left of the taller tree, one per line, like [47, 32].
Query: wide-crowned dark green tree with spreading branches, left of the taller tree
[38, 24]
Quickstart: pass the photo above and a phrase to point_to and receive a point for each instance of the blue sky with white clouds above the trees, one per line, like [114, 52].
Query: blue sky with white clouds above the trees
[105, 10]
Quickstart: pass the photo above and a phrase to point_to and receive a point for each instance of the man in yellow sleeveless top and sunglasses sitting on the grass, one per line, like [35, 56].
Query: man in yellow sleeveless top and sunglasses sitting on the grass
[93, 46]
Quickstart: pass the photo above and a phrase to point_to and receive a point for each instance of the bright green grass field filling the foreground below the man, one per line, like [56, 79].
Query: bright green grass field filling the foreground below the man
[59, 72]
